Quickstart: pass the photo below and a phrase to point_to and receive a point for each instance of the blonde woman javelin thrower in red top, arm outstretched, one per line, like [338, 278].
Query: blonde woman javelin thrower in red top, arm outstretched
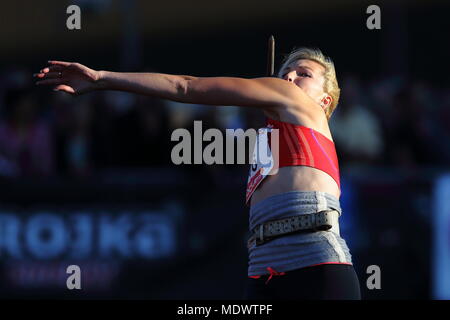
[295, 251]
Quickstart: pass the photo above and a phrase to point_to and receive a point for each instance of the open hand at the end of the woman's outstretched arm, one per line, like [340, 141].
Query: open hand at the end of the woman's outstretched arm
[70, 77]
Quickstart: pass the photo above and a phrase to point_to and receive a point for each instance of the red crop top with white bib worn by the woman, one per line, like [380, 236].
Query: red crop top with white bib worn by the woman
[297, 146]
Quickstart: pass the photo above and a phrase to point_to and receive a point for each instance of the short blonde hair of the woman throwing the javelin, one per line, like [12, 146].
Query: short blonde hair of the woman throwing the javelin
[330, 85]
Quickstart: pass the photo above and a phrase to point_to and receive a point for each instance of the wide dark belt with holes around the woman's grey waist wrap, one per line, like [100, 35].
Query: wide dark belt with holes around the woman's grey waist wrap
[318, 221]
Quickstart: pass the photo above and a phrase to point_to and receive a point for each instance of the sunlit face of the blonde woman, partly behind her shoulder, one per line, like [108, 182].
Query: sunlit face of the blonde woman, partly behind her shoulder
[308, 75]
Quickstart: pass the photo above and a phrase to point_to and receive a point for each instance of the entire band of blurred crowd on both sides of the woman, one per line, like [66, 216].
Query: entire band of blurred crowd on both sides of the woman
[386, 122]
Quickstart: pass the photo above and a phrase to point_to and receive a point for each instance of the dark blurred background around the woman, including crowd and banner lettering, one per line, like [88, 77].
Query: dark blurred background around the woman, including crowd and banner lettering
[89, 180]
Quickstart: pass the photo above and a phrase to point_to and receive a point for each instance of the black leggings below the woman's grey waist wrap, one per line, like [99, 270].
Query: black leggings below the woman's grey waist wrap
[322, 282]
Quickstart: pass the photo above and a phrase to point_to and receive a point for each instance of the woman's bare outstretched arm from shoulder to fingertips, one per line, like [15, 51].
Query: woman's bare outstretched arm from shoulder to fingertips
[266, 93]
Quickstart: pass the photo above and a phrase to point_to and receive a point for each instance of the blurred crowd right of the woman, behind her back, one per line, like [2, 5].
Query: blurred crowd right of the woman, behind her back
[392, 122]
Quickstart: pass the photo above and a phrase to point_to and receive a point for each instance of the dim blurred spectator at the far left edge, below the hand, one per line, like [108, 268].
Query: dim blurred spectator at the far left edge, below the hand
[26, 147]
